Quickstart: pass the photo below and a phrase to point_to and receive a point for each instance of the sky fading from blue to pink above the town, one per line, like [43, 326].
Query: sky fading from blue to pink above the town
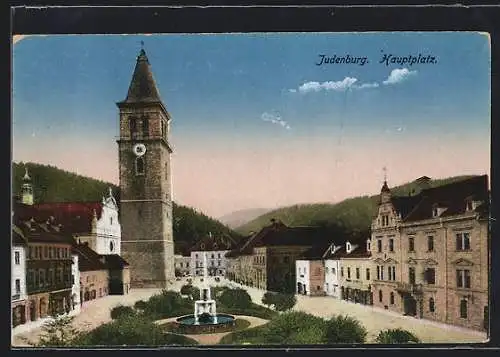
[257, 120]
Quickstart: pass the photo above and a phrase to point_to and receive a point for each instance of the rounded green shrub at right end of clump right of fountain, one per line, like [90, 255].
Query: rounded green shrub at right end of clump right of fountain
[345, 329]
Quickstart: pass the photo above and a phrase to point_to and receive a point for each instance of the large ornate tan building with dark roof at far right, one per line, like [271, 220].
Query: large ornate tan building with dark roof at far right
[431, 253]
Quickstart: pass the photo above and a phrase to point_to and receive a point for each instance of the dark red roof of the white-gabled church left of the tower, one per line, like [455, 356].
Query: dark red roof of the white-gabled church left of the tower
[75, 217]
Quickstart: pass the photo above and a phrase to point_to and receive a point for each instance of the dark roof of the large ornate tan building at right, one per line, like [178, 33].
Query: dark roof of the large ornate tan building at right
[452, 197]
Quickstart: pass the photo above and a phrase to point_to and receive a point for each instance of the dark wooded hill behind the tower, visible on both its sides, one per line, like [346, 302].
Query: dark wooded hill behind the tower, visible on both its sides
[51, 184]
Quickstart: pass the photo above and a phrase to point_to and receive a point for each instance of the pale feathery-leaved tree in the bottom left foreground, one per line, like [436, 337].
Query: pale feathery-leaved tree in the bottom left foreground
[59, 332]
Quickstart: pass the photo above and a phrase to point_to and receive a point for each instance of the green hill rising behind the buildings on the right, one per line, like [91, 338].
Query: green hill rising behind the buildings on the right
[352, 216]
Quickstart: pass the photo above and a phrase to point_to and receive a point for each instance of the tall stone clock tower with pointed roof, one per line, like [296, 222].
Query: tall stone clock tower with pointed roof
[145, 181]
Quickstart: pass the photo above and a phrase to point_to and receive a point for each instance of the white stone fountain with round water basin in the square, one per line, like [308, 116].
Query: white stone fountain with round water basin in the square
[205, 316]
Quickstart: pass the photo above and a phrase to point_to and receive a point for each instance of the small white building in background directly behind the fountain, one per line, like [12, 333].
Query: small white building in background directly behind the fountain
[216, 249]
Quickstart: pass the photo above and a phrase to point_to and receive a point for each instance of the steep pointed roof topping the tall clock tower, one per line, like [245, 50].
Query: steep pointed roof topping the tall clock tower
[142, 86]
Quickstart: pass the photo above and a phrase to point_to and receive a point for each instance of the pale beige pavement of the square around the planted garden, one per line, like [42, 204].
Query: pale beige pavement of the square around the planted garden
[97, 312]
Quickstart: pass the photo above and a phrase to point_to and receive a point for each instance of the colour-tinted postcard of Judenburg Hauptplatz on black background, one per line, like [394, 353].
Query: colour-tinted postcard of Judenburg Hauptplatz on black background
[250, 189]
